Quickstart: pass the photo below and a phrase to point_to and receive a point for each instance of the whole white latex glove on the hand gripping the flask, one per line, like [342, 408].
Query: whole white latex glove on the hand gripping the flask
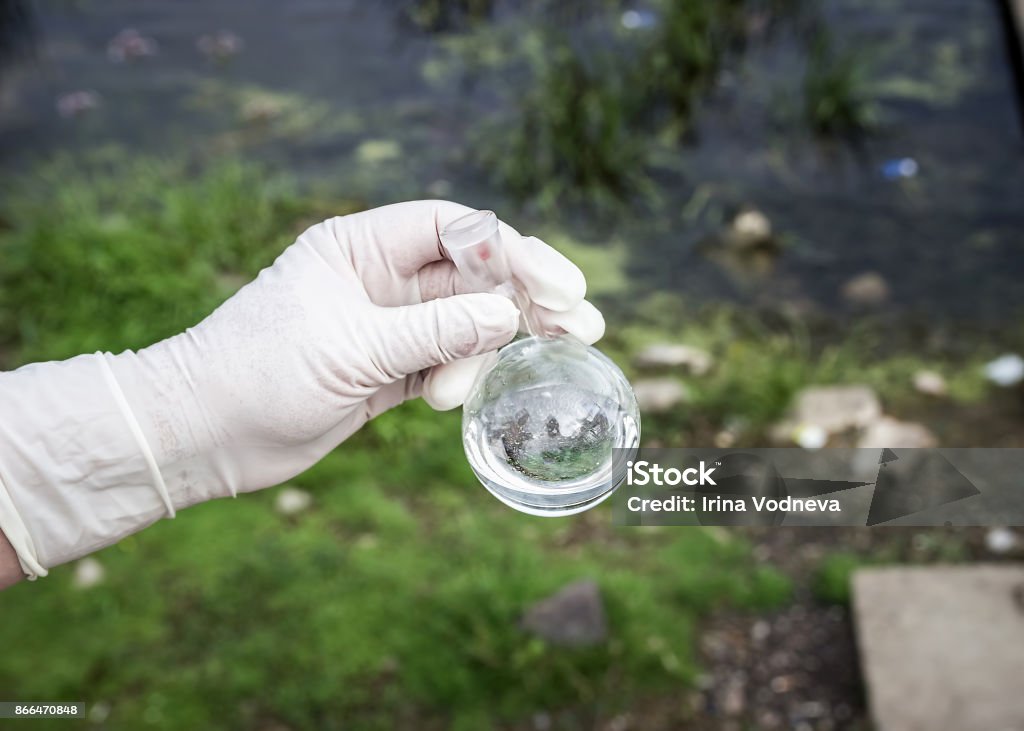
[360, 315]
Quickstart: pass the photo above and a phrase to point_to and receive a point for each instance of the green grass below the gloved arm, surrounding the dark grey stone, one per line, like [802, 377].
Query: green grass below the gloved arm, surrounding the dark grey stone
[396, 600]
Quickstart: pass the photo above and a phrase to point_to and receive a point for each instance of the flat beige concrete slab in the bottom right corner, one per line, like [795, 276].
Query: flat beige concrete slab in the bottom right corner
[942, 647]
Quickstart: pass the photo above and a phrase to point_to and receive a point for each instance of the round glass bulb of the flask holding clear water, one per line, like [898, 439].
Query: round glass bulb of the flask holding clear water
[549, 428]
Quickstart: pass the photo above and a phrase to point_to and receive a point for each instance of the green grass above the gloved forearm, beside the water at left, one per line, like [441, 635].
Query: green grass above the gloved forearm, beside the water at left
[108, 254]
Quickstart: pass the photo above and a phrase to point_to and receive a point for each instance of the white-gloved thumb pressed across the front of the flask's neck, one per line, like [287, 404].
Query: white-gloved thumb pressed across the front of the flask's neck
[413, 338]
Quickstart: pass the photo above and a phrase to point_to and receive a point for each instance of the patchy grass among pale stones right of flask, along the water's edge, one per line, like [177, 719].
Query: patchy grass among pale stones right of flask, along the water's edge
[760, 368]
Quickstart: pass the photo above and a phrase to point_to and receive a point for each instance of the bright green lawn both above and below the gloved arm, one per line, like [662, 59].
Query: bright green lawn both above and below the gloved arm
[395, 601]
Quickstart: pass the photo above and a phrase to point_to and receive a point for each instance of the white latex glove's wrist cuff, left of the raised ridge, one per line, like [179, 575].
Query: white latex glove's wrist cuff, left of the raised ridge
[71, 461]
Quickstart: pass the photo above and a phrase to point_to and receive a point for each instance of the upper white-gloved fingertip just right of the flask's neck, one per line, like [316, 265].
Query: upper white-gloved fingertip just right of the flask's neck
[551, 280]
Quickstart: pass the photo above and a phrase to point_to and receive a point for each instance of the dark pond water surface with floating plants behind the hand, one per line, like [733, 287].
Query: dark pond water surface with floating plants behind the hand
[353, 99]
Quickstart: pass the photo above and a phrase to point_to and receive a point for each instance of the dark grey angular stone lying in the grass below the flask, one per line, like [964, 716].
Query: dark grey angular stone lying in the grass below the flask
[574, 617]
